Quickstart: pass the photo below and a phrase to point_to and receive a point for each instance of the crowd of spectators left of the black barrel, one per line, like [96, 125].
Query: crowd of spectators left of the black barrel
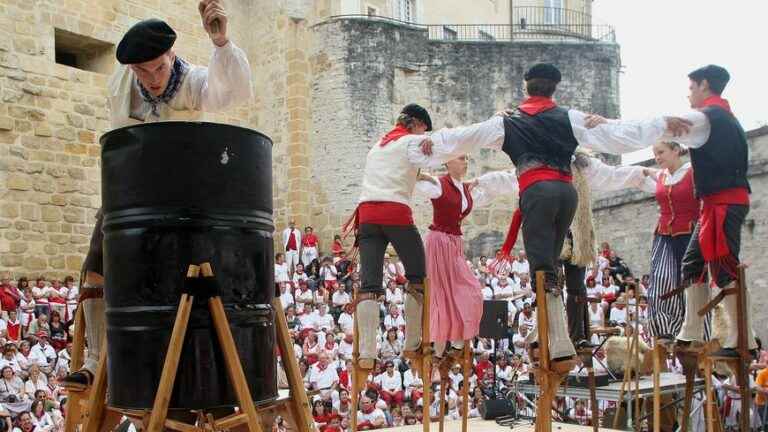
[34, 337]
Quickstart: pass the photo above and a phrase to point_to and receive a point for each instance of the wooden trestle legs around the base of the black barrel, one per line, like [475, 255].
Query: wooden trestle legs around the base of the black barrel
[96, 416]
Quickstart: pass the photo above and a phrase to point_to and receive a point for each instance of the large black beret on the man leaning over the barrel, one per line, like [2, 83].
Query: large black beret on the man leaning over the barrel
[145, 41]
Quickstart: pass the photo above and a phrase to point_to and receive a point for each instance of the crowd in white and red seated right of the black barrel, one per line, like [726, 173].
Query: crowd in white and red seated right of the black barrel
[317, 299]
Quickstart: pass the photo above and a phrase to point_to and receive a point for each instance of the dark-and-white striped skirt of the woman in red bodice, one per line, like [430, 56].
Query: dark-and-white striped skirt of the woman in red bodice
[666, 316]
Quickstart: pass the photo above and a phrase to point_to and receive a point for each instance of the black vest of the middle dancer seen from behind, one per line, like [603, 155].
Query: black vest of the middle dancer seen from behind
[546, 138]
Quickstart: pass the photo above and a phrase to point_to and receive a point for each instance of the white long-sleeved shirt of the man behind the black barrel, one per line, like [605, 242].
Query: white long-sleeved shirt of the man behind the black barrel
[225, 83]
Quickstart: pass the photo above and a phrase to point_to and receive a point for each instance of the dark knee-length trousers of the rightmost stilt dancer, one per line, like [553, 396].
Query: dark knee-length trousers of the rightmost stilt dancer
[693, 266]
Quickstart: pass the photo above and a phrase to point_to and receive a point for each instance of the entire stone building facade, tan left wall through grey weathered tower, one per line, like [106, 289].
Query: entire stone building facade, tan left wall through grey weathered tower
[324, 90]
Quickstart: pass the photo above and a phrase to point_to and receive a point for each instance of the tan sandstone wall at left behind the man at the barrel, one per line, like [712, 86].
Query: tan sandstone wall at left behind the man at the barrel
[52, 115]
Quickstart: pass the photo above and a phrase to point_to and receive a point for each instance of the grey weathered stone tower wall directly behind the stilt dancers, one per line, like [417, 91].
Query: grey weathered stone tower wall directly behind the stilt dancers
[365, 71]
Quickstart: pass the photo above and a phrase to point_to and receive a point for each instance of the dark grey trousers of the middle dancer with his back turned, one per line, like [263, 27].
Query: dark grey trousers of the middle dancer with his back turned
[548, 208]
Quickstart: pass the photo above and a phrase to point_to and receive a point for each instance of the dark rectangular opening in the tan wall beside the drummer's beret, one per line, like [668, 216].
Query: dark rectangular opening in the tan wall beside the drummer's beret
[83, 52]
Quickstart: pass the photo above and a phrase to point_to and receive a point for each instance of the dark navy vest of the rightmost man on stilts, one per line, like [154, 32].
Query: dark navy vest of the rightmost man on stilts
[721, 163]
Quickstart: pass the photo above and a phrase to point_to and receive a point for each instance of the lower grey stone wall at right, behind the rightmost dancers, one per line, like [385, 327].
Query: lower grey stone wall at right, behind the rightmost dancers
[627, 219]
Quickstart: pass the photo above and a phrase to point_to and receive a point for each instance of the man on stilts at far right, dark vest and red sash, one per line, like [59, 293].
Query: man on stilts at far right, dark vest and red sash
[719, 156]
